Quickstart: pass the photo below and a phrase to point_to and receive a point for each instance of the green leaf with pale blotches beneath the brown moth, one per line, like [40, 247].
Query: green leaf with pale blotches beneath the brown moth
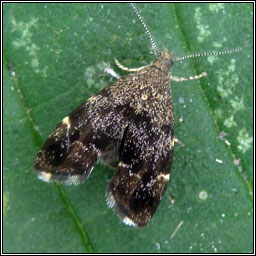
[54, 59]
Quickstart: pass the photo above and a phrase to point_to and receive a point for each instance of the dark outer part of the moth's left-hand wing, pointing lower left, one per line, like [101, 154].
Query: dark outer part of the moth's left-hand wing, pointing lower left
[80, 139]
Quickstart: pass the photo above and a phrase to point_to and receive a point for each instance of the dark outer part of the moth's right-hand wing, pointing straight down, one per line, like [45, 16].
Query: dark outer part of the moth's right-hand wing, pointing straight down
[143, 171]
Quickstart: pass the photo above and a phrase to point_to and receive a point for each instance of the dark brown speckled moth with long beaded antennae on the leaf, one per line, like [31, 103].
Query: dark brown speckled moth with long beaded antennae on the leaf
[130, 126]
